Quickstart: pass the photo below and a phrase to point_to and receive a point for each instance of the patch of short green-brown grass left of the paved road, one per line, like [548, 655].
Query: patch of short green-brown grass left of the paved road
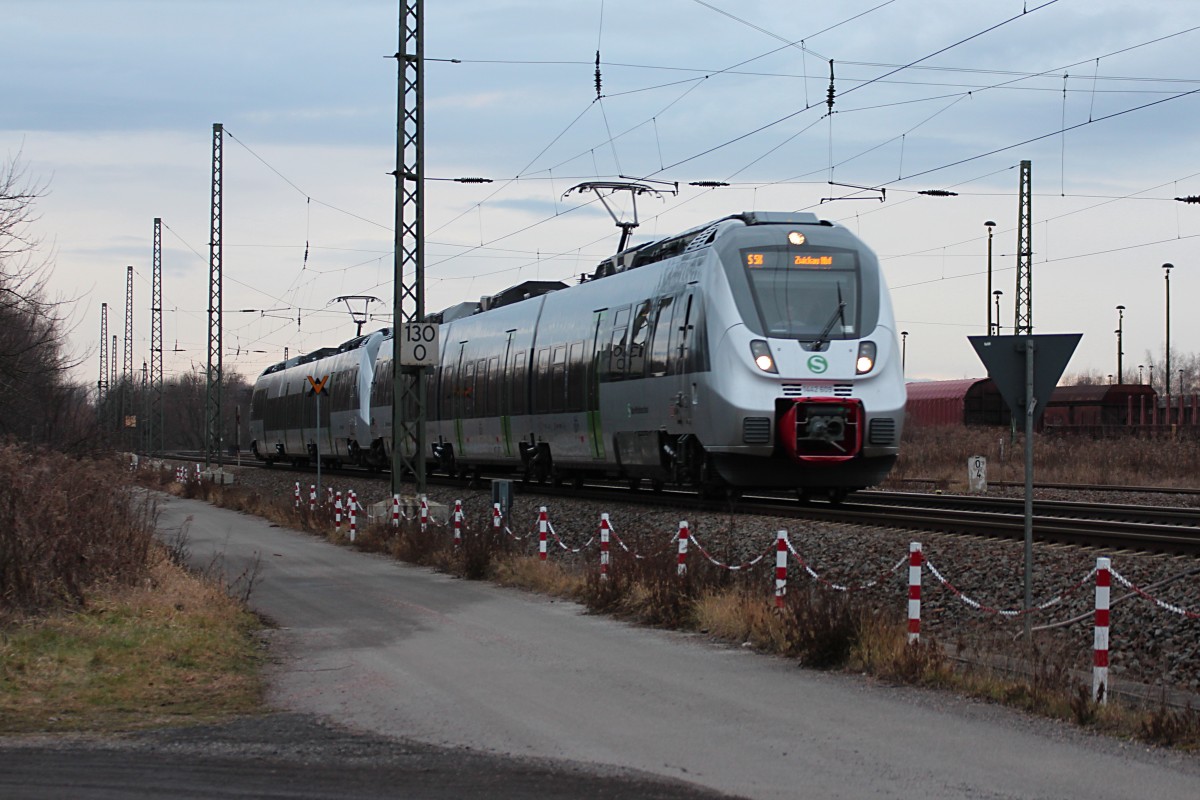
[173, 648]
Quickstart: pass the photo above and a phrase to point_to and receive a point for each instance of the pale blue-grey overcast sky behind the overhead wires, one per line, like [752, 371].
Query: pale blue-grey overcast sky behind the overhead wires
[111, 106]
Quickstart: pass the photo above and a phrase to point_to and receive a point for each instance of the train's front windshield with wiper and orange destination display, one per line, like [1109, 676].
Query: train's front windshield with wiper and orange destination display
[805, 293]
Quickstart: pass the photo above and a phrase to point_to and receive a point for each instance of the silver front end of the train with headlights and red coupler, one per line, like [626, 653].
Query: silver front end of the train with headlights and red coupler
[808, 383]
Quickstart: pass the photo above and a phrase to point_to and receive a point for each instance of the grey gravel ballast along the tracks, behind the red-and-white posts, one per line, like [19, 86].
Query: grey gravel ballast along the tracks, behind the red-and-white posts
[1153, 651]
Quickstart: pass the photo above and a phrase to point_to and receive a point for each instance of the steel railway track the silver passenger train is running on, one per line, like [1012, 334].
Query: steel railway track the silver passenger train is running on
[1144, 528]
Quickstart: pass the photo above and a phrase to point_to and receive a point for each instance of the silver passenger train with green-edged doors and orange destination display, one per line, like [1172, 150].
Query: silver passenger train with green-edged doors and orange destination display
[757, 351]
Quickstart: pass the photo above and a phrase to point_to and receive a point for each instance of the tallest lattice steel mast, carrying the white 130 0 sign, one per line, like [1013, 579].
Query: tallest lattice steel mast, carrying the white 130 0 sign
[409, 287]
